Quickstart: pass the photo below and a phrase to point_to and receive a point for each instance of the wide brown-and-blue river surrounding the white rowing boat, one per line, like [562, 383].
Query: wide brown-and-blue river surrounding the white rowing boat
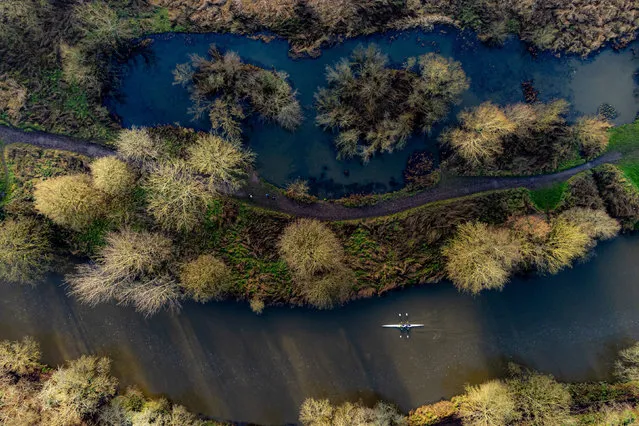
[224, 361]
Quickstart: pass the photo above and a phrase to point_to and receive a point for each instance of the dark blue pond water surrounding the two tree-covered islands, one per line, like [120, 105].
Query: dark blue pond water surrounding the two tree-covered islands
[147, 96]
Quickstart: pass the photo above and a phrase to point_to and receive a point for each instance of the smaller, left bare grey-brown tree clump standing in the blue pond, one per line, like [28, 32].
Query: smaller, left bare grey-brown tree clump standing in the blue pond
[227, 88]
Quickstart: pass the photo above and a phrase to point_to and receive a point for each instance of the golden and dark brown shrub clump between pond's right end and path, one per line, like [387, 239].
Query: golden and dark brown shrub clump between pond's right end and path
[519, 139]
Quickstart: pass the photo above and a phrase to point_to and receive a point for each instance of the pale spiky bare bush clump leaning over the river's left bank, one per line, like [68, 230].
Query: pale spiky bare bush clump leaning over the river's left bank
[133, 268]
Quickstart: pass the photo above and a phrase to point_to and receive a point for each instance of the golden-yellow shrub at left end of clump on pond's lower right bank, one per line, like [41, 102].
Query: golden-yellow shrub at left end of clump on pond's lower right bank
[479, 139]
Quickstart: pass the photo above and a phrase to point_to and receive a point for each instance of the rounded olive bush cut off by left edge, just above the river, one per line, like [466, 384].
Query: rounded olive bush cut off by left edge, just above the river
[25, 251]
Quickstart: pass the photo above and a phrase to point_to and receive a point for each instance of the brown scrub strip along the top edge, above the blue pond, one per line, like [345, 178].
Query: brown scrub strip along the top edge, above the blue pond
[575, 26]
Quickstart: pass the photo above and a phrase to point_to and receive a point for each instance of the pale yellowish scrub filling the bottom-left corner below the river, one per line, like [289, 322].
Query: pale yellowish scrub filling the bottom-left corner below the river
[81, 392]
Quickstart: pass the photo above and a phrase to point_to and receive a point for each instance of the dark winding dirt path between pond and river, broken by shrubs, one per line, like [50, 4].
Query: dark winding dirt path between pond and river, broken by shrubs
[255, 192]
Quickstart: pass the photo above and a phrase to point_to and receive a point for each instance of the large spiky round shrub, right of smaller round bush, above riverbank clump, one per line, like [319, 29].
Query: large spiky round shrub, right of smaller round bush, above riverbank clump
[175, 198]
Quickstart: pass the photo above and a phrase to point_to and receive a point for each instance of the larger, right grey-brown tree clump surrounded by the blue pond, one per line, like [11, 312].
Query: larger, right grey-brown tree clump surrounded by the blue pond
[375, 108]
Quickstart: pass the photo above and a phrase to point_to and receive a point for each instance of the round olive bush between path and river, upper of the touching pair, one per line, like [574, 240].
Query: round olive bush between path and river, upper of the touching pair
[309, 247]
